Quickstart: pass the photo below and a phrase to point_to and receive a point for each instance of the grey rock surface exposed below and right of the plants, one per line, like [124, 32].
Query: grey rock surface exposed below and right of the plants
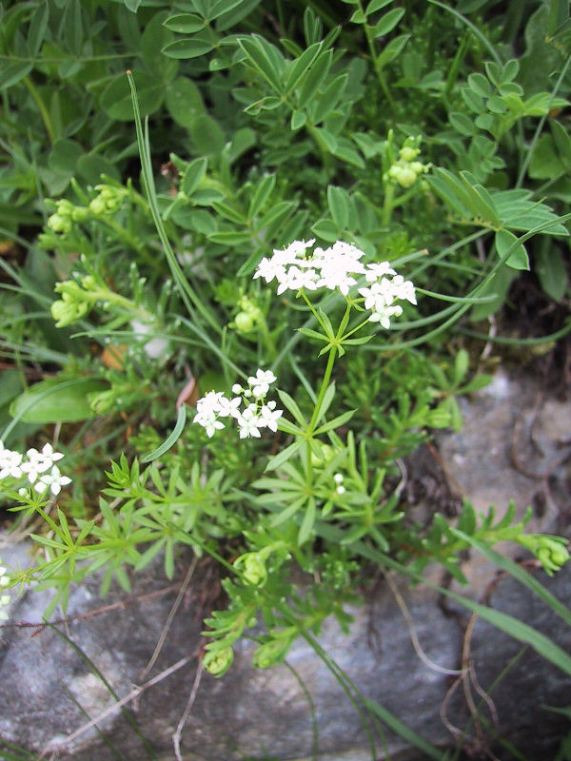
[55, 680]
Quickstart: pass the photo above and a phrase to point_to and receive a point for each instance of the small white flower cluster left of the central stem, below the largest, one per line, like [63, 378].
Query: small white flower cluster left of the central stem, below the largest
[248, 408]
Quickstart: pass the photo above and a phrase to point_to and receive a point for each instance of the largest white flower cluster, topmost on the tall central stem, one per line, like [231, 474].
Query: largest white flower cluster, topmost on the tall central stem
[336, 267]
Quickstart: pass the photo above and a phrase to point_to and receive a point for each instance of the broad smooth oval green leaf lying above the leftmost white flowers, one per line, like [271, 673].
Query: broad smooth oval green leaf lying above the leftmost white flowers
[56, 401]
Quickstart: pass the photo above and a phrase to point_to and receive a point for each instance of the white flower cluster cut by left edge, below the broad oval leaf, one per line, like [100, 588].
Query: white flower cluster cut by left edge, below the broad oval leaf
[38, 468]
